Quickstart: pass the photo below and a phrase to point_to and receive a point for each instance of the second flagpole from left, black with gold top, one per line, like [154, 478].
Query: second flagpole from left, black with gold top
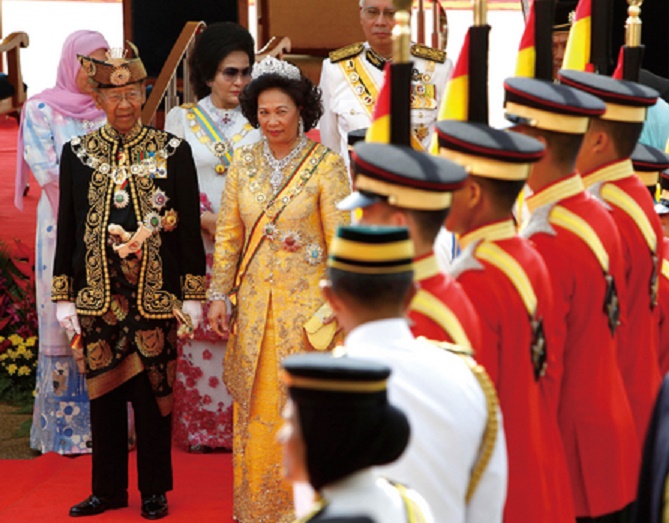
[478, 64]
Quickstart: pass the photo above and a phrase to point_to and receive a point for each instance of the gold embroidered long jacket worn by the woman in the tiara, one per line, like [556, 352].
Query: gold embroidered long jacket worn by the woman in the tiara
[290, 261]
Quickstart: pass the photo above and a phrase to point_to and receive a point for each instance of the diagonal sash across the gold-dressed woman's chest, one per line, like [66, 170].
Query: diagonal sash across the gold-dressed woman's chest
[266, 218]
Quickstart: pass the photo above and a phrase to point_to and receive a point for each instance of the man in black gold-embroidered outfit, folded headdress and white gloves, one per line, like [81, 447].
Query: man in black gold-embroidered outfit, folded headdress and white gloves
[129, 257]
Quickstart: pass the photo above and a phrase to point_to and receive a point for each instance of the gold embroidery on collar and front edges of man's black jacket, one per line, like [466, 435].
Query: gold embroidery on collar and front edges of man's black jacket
[148, 150]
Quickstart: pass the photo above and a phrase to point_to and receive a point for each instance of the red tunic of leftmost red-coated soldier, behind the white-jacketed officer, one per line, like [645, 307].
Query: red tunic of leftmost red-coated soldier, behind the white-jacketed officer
[459, 318]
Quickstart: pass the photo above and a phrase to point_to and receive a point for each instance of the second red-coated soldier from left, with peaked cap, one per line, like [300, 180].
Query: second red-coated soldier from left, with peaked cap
[508, 283]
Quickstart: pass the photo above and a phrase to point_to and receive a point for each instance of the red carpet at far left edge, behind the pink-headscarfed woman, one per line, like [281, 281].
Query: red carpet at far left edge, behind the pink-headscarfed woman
[14, 224]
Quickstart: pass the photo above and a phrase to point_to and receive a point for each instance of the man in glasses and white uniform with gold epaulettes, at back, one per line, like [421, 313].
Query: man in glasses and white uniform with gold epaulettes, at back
[352, 76]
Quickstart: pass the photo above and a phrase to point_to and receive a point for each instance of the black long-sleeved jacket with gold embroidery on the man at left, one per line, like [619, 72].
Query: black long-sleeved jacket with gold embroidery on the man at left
[146, 177]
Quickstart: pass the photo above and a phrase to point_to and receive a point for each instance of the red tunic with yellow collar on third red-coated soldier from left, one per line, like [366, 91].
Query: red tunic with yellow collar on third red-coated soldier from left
[594, 415]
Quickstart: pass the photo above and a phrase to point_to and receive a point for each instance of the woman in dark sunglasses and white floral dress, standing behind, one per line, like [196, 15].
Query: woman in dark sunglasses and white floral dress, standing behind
[220, 67]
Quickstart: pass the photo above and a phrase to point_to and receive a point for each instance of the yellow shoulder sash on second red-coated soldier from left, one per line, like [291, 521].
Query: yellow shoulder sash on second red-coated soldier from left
[501, 259]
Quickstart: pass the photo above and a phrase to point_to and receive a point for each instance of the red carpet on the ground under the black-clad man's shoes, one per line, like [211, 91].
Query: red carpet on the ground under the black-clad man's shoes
[43, 489]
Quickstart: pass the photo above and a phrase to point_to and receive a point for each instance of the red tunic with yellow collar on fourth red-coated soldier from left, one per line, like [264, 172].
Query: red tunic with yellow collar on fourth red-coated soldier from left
[637, 337]
